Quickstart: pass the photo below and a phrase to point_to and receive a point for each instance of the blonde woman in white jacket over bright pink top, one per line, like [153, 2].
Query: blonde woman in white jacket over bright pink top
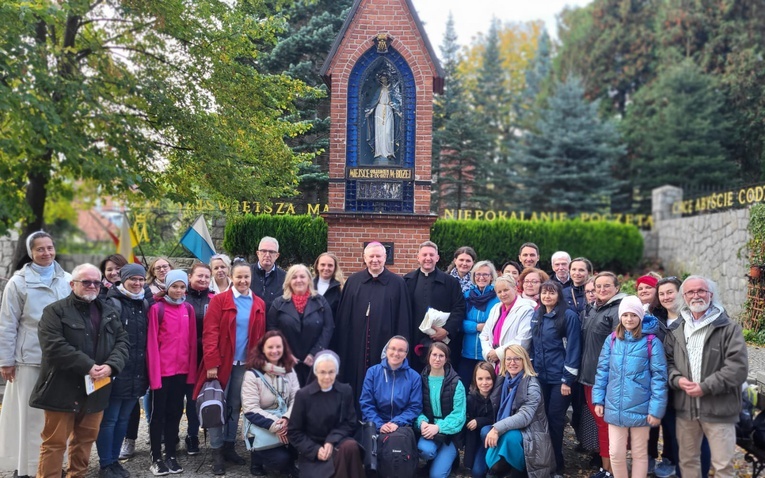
[509, 321]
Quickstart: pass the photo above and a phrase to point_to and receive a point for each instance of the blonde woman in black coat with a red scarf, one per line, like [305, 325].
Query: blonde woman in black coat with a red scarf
[304, 317]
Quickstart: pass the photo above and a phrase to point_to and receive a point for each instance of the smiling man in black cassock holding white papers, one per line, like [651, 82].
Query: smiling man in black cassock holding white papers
[431, 288]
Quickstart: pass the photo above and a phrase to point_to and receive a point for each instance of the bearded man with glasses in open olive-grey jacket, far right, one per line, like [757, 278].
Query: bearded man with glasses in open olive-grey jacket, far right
[707, 364]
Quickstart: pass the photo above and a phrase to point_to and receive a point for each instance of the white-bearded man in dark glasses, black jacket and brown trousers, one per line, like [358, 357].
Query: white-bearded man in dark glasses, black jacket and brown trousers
[82, 341]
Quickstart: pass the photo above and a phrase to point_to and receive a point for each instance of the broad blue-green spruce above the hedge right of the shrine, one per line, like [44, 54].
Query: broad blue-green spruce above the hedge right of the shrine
[567, 163]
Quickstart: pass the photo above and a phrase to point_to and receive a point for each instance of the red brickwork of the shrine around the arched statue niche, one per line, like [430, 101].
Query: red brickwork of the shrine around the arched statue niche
[348, 232]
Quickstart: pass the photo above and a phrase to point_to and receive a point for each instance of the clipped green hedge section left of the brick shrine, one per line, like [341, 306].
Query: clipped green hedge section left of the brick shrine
[301, 238]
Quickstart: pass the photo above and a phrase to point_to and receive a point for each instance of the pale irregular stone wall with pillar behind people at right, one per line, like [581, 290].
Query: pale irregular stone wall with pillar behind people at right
[709, 245]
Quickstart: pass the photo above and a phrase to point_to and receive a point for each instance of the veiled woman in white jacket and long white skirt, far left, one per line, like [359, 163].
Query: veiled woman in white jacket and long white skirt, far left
[29, 291]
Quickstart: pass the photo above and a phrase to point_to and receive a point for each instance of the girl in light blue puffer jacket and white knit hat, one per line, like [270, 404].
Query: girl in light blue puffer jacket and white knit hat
[630, 390]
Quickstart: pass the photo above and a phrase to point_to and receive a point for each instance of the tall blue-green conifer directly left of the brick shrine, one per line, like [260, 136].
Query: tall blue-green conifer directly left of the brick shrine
[300, 52]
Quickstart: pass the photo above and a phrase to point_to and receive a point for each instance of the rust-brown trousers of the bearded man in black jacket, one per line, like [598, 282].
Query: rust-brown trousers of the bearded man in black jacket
[74, 432]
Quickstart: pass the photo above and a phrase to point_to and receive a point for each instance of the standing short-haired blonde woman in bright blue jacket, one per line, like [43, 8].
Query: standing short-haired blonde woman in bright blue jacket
[479, 298]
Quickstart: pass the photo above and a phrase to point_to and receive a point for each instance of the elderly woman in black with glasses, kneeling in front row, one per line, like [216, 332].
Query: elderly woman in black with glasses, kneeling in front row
[323, 423]
